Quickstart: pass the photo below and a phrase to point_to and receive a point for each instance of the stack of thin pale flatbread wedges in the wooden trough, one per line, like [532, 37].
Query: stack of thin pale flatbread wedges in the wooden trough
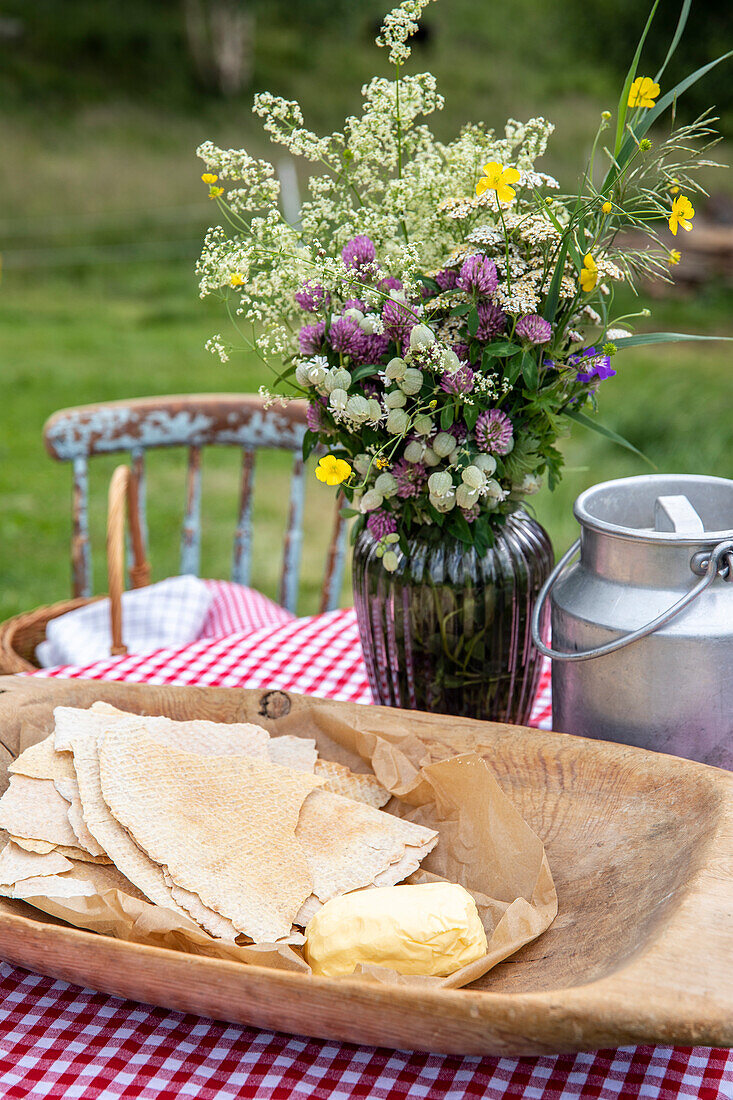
[246, 834]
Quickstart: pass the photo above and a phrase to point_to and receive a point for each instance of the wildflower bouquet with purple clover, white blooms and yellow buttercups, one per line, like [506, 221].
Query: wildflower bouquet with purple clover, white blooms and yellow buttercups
[446, 312]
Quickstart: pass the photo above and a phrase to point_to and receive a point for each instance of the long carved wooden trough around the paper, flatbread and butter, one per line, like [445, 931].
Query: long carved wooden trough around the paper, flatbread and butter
[641, 846]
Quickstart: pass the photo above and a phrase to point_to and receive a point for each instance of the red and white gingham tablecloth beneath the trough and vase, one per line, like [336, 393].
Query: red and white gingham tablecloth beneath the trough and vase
[61, 1041]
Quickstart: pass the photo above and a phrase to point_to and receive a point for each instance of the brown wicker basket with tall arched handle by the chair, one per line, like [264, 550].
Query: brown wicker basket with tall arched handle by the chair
[21, 635]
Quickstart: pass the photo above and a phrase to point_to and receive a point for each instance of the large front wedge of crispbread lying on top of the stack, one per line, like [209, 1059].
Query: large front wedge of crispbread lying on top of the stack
[218, 826]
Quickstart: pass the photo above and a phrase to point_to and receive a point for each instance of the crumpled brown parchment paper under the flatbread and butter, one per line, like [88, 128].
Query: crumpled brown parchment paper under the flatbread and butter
[485, 845]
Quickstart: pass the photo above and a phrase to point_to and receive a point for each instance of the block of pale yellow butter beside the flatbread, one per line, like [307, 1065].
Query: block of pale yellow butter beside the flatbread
[428, 930]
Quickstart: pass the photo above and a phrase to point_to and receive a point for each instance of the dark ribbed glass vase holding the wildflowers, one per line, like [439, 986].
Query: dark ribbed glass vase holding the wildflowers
[450, 632]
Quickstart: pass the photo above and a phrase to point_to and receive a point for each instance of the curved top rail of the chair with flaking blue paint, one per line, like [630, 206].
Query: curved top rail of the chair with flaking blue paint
[113, 430]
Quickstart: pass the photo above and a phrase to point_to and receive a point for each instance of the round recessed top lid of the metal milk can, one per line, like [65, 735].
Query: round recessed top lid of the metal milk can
[680, 509]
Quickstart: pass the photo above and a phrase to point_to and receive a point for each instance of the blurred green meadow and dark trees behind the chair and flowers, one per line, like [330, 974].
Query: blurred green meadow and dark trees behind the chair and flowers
[102, 108]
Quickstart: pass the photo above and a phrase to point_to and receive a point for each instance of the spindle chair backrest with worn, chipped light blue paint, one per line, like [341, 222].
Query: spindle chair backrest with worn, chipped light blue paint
[195, 422]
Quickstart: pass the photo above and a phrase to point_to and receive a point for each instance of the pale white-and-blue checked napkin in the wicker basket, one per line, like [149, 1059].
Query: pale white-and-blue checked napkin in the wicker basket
[170, 613]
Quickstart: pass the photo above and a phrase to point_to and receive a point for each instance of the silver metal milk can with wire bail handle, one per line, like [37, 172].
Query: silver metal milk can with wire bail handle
[643, 623]
